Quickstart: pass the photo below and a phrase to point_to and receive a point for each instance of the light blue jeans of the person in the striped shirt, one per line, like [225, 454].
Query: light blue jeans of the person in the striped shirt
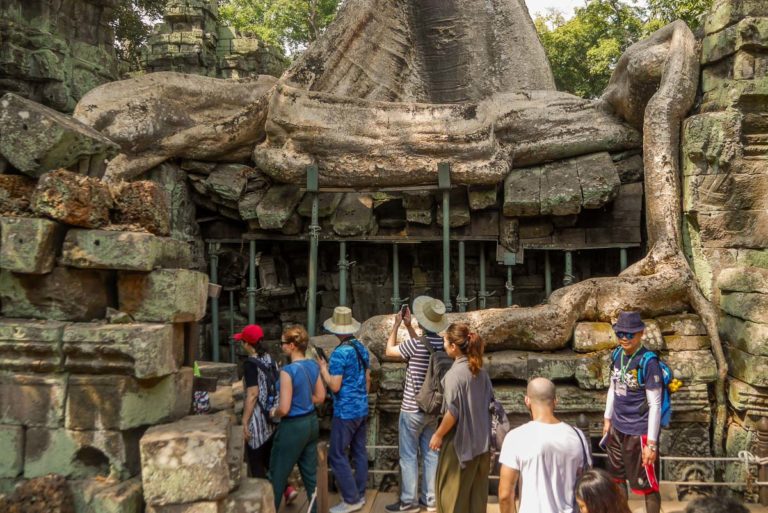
[416, 428]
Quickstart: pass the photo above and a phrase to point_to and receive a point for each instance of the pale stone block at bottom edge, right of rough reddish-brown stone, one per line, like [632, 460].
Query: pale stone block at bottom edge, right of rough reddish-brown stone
[99, 496]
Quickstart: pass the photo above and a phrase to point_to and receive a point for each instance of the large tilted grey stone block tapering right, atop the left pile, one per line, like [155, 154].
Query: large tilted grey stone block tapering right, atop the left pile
[36, 139]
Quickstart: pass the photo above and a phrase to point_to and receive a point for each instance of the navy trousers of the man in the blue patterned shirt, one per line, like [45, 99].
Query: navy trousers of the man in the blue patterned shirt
[352, 434]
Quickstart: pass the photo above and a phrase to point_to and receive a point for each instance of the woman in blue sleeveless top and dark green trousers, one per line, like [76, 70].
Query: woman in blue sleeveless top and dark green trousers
[295, 440]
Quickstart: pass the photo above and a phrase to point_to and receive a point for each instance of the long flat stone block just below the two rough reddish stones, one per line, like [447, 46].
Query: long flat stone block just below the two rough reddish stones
[126, 251]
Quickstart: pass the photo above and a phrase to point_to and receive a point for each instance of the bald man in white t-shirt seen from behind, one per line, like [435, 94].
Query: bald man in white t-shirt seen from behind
[548, 455]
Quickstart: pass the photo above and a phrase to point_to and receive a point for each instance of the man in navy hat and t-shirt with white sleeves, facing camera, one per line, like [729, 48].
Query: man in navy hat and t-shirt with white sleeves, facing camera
[633, 414]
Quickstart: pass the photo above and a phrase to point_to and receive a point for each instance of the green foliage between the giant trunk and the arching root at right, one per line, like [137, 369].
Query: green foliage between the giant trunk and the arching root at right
[584, 50]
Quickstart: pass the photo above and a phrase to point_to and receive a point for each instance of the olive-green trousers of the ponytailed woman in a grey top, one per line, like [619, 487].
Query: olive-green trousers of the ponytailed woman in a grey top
[461, 490]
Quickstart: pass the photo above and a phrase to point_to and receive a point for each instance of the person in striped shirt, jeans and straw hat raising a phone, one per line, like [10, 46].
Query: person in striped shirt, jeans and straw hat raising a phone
[415, 427]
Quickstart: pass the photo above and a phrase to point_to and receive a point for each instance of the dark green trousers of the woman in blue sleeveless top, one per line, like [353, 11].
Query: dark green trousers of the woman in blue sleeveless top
[295, 442]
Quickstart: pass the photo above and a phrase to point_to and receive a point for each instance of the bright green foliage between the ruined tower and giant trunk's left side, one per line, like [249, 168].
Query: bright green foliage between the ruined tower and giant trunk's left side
[288, 24]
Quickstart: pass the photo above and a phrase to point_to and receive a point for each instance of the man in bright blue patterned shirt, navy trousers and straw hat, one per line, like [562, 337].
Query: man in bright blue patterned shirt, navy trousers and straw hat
[348, 376]
